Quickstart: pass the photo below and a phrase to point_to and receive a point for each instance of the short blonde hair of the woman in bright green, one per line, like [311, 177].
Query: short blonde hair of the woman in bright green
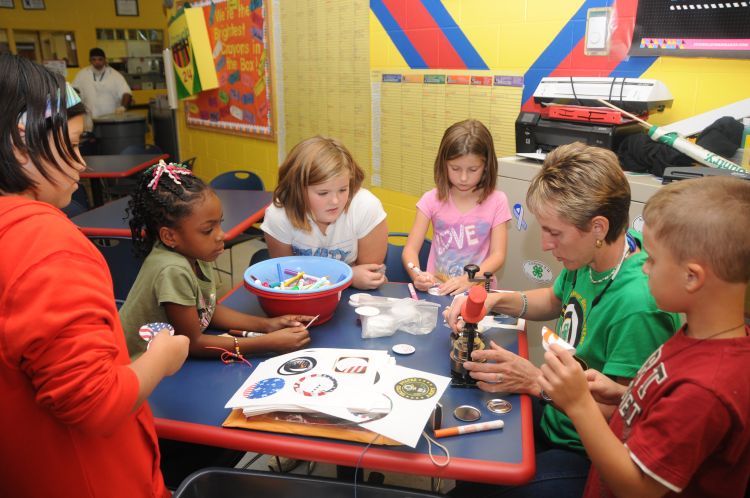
[579, 182]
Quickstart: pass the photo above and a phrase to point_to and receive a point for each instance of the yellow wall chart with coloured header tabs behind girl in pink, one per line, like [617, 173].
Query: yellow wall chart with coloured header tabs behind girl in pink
[412, 110]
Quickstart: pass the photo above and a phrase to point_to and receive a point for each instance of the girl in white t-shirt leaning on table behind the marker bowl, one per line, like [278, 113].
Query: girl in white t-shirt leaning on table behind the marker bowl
[320, 209]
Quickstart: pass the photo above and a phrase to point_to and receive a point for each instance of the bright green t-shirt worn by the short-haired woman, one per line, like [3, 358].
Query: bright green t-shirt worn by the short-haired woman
[615, 335]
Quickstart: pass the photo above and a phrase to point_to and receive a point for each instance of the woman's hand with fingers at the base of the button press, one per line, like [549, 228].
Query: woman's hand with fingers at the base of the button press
[502, 371]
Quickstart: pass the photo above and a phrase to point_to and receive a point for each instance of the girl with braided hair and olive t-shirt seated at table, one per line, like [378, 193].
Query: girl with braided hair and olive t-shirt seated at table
[175, 222]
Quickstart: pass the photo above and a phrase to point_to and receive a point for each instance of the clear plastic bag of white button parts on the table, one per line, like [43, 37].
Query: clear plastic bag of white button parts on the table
[382, 317]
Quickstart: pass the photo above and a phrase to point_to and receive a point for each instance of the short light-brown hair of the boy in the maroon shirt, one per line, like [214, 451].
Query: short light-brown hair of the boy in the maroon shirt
[705, 219]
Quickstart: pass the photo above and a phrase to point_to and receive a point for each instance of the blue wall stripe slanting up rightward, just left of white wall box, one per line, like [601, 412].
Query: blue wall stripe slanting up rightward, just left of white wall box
[559, 49]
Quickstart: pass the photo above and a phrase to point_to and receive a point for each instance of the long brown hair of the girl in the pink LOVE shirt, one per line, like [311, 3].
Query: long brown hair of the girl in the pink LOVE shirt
[460, 139]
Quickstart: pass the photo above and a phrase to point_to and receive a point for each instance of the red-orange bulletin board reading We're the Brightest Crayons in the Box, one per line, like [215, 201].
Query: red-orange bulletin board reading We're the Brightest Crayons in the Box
[239, 38]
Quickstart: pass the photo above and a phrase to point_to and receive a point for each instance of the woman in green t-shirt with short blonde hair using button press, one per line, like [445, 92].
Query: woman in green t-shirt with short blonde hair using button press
[601, 299]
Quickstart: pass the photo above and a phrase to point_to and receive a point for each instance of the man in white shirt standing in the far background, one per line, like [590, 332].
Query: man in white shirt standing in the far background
[103, 89]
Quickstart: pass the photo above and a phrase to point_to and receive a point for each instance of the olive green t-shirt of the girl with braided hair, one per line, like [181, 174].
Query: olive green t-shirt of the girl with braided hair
[165, 277]
